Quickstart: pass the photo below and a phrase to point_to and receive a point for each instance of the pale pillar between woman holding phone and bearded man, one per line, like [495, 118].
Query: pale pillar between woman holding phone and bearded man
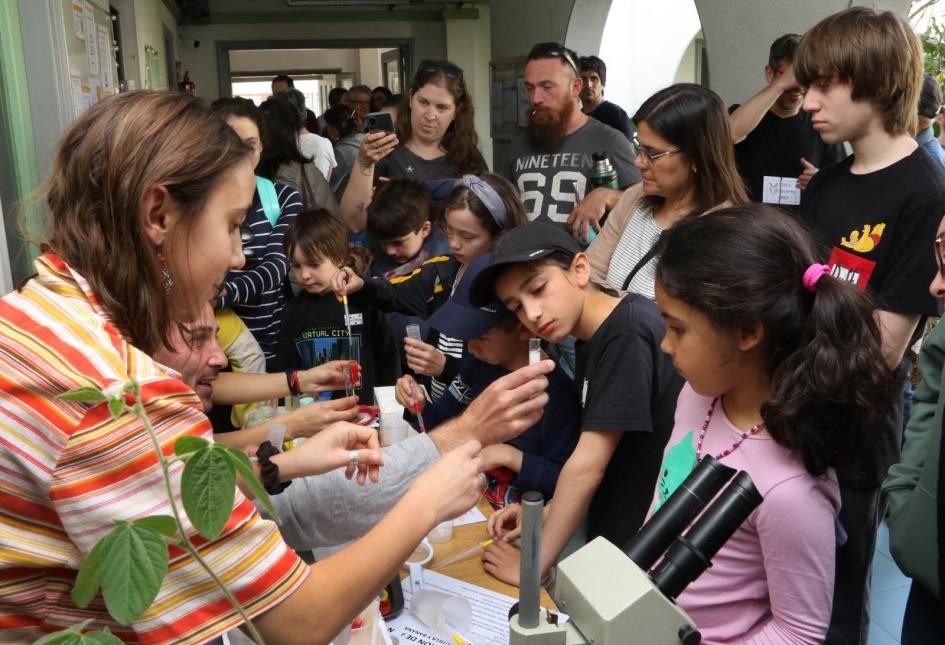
[469, 44]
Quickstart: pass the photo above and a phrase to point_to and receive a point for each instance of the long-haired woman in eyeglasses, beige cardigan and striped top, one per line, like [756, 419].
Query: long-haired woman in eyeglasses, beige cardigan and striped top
[684, 153]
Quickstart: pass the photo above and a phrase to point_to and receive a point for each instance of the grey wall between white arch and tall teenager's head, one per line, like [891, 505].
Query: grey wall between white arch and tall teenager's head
[739, 34]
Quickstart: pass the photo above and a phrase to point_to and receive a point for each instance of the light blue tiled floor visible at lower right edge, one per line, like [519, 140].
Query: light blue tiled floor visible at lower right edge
[889, 592]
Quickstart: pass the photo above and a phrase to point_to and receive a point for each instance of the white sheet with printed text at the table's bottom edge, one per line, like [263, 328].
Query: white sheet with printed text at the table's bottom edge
[490, 612]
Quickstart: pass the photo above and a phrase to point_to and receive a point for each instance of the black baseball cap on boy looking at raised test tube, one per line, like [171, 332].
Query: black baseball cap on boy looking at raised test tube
[527, 243]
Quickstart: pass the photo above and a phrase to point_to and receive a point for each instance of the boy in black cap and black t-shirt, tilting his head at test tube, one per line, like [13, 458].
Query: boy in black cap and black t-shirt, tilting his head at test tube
[626, 384]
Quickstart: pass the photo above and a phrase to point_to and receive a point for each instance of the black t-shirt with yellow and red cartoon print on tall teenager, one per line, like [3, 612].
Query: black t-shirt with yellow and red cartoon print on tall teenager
[878, 228]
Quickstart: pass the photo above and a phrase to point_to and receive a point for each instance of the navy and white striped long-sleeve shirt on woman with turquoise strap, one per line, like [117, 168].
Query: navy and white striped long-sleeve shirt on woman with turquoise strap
[257, 291]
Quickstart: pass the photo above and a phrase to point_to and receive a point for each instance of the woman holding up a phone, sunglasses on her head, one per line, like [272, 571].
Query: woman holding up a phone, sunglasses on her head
[435, 139]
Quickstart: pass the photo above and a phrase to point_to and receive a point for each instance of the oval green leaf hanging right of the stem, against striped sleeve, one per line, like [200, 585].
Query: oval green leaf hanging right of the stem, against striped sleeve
[208, 487]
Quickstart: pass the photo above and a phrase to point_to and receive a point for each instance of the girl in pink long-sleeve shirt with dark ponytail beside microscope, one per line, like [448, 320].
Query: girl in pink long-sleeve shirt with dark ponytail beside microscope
[784, 366]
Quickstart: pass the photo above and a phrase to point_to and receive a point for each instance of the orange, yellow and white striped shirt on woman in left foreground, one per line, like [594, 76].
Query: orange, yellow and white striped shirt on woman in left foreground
[68, 470]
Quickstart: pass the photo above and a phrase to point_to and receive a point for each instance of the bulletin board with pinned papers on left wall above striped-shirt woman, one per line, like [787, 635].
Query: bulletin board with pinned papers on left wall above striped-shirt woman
[90, 46]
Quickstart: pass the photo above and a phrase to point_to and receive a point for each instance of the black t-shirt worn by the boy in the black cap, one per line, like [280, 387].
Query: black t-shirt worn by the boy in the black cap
[627, 384]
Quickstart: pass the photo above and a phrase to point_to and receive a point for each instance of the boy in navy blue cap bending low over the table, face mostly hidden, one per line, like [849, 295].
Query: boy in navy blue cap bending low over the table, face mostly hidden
[498, 344]
